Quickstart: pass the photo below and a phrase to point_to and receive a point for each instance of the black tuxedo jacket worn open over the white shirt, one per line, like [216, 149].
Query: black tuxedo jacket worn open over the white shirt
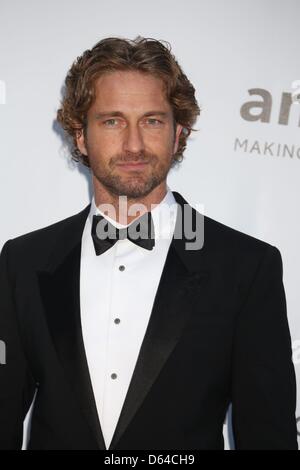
[218, 334]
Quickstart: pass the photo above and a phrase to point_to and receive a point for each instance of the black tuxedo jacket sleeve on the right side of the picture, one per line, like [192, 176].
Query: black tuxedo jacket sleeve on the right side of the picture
[263, 376]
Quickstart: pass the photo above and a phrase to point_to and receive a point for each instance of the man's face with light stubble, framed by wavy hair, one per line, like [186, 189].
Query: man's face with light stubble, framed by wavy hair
[130, 138]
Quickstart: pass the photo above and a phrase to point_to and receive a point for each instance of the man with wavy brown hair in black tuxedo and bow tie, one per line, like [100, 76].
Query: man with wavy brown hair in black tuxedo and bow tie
[131, 338]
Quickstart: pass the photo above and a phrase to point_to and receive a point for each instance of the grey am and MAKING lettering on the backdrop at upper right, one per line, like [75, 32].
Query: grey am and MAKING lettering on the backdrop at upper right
[261, 110]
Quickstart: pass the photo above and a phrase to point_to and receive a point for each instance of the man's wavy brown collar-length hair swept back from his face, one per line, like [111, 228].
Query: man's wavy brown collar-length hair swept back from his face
[117, 54]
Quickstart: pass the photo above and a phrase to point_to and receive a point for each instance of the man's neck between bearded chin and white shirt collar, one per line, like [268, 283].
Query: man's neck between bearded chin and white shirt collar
[120, 208]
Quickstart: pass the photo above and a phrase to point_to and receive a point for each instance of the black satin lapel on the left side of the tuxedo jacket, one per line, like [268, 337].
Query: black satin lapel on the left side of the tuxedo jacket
[59, 288]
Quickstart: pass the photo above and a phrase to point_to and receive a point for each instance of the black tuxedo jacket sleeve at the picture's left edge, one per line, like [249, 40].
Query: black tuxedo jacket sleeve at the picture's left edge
[17, 385]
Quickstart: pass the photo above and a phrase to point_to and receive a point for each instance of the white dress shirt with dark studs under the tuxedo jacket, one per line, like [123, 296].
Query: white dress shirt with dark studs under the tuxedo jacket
[117, 291]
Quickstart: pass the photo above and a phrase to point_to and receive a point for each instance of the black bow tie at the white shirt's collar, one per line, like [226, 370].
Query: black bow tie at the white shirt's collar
[105, 235]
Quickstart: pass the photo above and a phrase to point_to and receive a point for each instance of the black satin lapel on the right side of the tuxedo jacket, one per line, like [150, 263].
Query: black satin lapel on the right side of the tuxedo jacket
[183, 283]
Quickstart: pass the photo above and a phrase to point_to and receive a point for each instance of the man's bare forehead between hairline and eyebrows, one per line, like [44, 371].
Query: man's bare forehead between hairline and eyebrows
[131, 88]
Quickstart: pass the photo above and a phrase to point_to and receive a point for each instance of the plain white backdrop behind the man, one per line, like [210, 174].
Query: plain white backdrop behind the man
[244, 170]
